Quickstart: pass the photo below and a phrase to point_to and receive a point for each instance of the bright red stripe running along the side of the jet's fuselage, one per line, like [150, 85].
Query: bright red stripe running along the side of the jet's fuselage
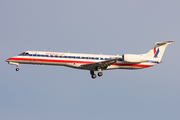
[71, 61]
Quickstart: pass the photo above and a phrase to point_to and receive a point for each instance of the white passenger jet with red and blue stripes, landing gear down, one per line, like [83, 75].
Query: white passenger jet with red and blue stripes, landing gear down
[92, 62]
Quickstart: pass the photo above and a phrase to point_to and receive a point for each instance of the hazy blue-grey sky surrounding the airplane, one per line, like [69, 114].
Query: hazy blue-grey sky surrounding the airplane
[107, 27]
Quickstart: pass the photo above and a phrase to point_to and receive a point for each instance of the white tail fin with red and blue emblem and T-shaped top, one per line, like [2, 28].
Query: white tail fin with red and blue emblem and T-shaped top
[157, 51]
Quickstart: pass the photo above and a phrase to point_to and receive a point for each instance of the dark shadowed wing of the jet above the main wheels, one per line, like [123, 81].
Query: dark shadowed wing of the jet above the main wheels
[102, 65]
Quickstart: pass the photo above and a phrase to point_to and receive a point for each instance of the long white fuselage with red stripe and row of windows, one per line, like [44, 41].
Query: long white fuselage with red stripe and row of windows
[74, 60]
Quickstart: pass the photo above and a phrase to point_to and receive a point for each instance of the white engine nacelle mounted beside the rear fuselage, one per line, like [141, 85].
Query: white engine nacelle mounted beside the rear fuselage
[132, 58]
